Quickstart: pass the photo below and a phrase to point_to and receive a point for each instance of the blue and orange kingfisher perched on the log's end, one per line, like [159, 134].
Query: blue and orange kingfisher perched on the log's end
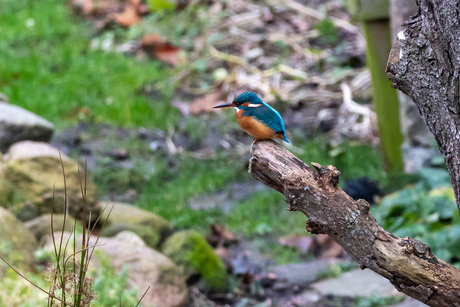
[256, 117]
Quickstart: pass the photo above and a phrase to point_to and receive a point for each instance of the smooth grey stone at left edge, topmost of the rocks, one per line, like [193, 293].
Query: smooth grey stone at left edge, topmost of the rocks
[17, 124]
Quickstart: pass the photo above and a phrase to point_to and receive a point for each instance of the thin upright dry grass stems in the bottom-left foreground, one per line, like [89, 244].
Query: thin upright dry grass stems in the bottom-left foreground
[69, 282]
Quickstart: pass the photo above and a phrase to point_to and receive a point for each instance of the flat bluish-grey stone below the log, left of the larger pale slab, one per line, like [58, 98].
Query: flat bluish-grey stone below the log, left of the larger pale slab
[296, 275]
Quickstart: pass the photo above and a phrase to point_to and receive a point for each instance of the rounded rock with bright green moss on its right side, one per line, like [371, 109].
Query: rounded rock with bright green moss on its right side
[194, 256]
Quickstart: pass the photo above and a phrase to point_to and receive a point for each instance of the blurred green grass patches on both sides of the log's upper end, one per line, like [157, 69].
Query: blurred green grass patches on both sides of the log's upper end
[174, 182]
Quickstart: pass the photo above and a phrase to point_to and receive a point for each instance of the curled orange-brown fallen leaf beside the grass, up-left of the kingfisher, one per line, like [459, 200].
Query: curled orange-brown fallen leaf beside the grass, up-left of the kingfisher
[154, 45]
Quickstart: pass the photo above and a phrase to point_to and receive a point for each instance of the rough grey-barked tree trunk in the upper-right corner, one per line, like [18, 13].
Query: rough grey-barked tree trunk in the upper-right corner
[424, 63]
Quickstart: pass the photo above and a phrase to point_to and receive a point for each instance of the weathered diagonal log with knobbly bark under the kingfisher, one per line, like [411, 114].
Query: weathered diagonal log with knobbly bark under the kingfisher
[407, 263]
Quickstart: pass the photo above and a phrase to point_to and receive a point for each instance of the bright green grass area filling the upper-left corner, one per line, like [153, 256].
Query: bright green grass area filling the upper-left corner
[48, 67]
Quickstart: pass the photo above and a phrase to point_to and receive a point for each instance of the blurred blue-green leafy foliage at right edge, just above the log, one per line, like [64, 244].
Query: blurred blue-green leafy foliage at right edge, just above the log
[425, 211]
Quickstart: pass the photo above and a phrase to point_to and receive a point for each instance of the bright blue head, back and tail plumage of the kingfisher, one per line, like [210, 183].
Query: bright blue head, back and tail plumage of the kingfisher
[260, 111]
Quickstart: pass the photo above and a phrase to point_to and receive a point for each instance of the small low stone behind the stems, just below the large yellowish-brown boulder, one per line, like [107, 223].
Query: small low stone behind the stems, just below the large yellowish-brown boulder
[41, 226]
